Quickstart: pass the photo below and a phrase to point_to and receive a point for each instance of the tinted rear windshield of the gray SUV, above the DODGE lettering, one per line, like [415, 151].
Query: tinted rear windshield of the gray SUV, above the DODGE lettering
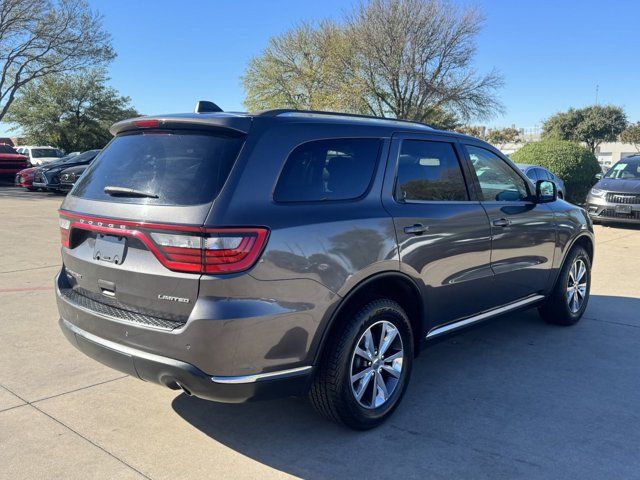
[180, 168]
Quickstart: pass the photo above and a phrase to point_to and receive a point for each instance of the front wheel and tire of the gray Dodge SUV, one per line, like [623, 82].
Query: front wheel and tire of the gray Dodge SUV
[561, 307]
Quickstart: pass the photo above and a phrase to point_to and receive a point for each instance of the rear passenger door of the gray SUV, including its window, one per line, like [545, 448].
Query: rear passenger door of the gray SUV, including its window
[443, 232]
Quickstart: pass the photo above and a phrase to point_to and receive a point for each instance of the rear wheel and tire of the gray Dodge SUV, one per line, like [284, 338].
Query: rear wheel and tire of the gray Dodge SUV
[332, 392]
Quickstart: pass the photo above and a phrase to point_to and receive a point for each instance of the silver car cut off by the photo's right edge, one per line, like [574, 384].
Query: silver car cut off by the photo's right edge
[616, 196]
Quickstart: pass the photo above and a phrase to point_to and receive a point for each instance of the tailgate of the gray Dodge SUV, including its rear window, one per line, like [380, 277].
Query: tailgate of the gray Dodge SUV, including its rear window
[134, 219]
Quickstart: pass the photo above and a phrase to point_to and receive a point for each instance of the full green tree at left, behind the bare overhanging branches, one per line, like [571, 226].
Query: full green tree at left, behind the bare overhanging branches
[73, 112]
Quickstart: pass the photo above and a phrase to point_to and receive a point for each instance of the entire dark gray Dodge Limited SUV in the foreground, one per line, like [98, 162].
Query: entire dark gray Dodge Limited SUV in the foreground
[246, 256]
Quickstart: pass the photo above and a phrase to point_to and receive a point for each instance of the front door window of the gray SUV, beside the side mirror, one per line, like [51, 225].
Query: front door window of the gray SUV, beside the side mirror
[498, 181]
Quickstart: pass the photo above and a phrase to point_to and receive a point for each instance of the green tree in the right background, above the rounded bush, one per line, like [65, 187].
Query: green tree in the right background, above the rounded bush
[591, 125]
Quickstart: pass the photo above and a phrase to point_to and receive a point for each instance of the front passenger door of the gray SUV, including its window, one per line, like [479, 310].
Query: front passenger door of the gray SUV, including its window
[523, 232]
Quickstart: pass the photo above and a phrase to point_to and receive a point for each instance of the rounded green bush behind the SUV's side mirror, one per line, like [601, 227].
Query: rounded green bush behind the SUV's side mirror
[573, 163]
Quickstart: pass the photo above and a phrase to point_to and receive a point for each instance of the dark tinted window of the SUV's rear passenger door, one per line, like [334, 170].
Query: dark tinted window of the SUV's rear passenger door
[429, 171]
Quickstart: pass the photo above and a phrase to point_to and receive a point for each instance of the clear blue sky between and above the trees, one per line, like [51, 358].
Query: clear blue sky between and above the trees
[552, 54]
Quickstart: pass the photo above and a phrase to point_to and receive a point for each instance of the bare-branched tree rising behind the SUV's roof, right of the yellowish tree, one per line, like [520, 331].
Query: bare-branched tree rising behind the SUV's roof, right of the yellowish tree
[415, 56]
